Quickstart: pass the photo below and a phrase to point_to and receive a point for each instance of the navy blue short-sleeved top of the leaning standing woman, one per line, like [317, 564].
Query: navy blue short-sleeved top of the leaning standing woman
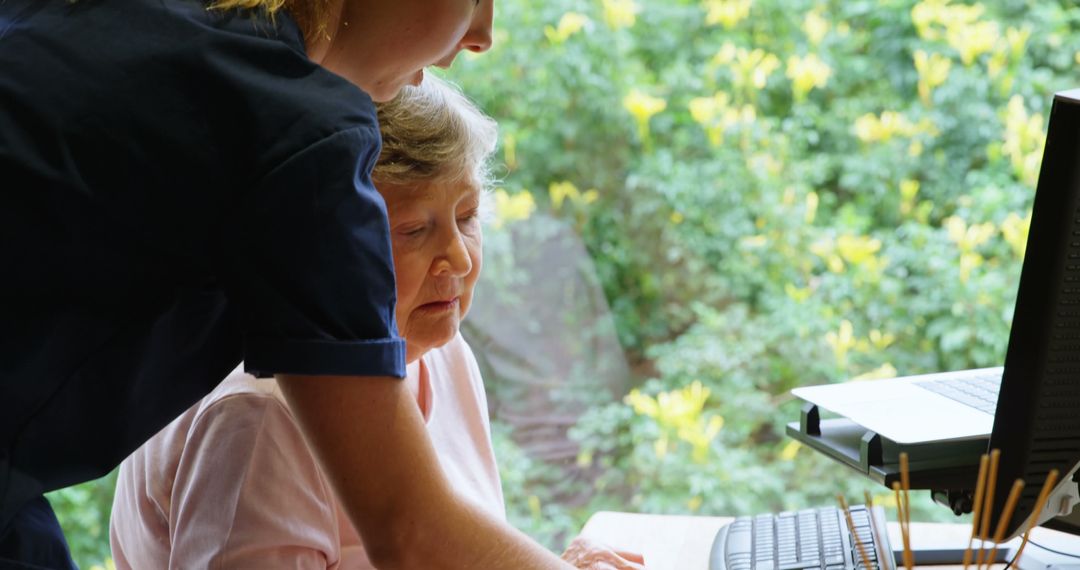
[180, 189]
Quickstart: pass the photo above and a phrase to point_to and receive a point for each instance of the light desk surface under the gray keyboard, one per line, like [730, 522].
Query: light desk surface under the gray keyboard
[673, 542]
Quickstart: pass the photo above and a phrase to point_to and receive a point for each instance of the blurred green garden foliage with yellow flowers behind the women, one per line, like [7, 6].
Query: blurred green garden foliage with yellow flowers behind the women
[704, 205]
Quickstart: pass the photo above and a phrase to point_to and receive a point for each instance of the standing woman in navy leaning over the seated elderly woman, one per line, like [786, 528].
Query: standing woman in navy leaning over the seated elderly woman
[185, 186]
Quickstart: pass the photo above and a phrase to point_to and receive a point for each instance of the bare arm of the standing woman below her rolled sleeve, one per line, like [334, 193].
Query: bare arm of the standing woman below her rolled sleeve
[371, 440]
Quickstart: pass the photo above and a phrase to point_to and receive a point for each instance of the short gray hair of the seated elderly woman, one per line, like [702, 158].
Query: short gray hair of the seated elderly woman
[433, 133]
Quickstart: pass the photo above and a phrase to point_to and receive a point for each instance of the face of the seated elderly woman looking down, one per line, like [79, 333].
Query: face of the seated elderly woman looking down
[437, 245]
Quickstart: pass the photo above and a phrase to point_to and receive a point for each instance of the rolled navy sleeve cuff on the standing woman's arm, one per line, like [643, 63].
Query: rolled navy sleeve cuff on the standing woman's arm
[322, 358]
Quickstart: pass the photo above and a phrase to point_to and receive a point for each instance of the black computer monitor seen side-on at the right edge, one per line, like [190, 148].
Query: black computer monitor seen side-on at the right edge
[1037, 423]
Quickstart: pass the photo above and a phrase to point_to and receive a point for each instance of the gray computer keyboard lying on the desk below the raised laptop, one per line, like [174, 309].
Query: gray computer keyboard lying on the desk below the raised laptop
[801, 540]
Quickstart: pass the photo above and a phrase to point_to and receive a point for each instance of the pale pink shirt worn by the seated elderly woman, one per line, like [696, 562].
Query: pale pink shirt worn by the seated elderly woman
[231, 484]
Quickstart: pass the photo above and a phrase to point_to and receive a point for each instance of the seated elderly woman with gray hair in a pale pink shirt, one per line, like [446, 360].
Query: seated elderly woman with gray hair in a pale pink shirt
[231, 484]
